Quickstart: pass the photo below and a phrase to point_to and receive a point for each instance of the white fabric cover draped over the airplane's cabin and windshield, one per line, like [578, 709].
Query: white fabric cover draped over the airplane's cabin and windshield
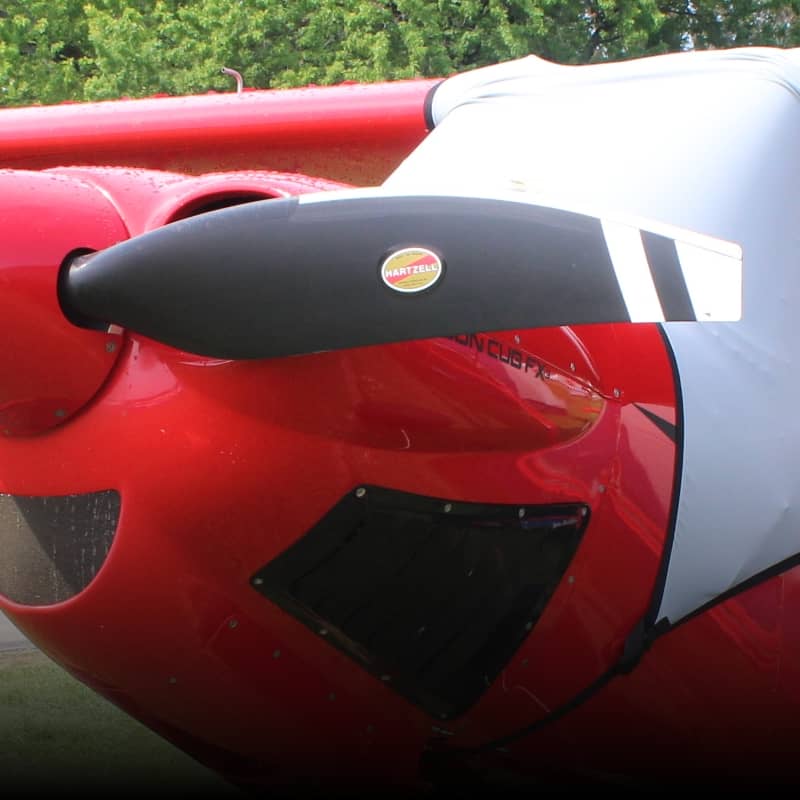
[707, 142]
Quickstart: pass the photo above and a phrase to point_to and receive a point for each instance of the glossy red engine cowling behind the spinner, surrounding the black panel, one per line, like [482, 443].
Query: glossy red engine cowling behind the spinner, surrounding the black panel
[223, 465]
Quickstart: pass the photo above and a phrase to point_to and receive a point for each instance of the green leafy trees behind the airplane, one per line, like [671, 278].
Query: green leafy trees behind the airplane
[96, 49]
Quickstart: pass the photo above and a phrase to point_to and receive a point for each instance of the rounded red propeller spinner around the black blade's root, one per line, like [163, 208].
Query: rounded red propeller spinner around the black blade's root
[49, 368]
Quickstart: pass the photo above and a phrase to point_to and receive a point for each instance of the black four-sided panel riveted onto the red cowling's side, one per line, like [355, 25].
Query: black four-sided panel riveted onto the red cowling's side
[431, 596]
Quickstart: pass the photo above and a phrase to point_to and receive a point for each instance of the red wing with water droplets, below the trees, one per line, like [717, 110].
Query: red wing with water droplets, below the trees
[352, 132]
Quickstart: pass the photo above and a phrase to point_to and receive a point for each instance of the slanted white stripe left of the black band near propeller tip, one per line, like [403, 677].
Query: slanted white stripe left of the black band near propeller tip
[632, 269]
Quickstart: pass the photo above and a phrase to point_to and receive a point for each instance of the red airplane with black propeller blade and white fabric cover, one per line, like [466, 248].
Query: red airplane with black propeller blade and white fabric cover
[417, 436]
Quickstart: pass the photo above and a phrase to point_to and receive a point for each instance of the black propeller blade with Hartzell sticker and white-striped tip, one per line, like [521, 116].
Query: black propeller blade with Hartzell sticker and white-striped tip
[347, 269]
